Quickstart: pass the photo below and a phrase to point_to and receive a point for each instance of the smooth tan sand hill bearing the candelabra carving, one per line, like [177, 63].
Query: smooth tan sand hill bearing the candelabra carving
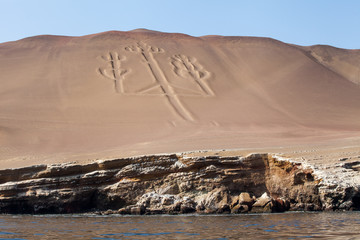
[128, 93]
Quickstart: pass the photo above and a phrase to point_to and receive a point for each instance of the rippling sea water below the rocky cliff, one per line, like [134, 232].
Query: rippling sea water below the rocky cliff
[295, 225]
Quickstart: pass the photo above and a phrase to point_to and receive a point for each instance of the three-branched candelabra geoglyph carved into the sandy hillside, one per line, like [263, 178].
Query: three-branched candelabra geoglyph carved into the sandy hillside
[186, 68]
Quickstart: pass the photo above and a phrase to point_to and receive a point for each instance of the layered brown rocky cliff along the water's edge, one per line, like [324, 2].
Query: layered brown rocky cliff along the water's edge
[173, 184]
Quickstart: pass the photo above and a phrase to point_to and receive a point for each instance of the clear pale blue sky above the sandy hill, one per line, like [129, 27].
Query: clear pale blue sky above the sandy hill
[303, 22]
